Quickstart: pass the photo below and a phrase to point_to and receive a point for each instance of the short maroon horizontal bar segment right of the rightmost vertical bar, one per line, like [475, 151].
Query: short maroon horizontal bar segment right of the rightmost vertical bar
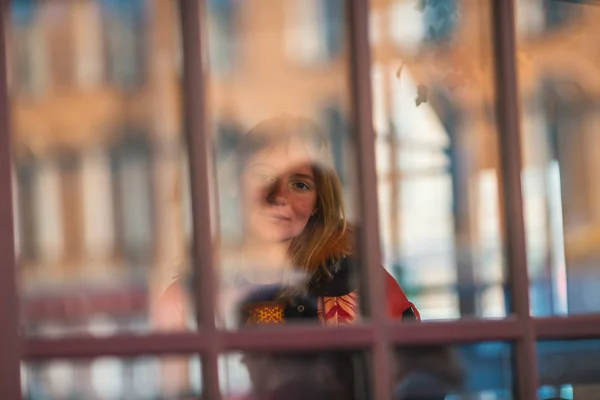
[565, 328]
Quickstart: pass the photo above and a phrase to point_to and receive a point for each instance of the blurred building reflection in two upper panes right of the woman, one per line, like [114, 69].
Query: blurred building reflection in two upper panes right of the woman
[434, 115]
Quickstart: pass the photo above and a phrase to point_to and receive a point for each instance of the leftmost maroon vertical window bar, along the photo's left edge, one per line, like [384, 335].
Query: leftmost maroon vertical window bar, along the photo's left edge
[10, 381]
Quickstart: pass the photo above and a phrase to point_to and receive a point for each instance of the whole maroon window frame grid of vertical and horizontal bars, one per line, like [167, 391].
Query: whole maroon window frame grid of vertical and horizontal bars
[378, 334]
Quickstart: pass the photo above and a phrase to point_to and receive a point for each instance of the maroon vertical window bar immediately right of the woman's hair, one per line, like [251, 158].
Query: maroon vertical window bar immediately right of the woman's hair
[368, 235]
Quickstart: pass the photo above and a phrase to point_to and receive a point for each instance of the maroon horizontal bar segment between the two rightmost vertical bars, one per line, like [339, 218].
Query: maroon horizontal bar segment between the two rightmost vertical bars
[462, 331]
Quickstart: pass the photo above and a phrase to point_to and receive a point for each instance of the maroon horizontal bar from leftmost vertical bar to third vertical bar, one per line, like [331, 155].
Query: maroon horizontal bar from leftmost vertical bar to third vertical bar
[270, 339]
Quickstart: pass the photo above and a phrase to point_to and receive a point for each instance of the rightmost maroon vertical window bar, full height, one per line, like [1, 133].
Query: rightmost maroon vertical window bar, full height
[507, 108]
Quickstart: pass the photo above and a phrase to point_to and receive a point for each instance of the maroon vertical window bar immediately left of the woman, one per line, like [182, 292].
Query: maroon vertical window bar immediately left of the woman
[200, 158]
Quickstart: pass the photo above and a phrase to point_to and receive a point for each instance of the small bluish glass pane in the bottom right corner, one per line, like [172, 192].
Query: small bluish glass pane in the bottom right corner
[569, 369]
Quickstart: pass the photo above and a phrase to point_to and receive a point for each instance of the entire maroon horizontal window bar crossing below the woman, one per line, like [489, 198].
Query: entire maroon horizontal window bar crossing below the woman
[303, 337]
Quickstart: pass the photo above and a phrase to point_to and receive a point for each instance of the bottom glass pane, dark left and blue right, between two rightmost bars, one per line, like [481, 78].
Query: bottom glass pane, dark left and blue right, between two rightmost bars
[480, 371]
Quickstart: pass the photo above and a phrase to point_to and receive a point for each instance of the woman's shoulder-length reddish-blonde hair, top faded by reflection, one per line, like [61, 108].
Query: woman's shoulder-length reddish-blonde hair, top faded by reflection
[326, 237]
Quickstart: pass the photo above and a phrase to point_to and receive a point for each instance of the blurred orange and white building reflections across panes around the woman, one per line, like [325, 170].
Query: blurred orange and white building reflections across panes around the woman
[102, 207]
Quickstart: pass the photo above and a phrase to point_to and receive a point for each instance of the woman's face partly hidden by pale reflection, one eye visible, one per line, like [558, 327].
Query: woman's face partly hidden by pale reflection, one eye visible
[279, 191]
